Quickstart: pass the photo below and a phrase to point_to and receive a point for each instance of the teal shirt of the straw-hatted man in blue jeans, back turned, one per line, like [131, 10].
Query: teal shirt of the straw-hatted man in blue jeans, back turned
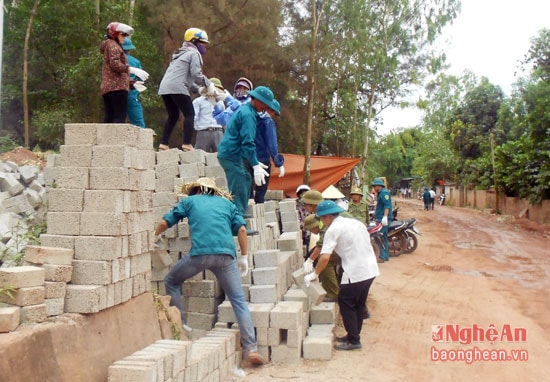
[213, 221]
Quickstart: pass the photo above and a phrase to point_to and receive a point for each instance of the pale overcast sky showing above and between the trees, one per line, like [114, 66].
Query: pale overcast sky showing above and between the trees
[489, 38]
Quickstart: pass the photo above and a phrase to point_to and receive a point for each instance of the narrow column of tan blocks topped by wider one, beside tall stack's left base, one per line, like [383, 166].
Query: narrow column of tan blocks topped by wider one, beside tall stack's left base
[57, 264]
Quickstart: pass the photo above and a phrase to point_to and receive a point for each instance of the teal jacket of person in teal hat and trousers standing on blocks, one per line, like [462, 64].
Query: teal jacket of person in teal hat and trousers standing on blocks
[238, 141]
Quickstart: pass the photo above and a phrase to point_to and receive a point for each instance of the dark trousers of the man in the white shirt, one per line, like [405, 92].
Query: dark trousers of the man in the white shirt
[352, 300]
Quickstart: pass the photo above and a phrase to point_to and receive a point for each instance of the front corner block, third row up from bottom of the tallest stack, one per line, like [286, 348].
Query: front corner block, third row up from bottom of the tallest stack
[98, 247]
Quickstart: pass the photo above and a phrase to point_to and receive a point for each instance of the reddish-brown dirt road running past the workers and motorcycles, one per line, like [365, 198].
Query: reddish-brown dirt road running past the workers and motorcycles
[470, 271]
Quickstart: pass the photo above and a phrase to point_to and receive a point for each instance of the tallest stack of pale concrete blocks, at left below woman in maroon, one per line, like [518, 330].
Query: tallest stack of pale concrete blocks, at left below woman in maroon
[100, 206]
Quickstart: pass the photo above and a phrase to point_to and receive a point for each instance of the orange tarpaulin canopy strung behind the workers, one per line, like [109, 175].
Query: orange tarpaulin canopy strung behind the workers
[324, 172]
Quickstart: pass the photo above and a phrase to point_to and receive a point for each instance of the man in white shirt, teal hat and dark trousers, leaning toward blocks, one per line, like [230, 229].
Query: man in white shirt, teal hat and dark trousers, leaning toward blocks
[350, 239]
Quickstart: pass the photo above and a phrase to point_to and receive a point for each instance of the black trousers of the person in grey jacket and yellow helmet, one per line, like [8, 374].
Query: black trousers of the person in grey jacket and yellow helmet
[174, 103]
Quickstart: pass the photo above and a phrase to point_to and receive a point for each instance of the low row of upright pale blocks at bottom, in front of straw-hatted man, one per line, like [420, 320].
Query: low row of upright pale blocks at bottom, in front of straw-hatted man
[211, 358]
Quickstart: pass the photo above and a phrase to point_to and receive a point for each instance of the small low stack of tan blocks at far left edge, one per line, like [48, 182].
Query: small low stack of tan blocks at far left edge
[26, 304]
